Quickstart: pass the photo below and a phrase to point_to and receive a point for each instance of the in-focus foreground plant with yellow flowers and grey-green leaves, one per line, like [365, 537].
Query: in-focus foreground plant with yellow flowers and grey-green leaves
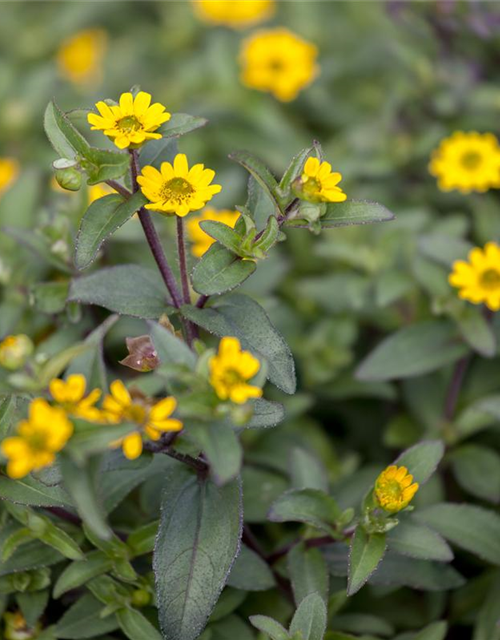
[180, 428]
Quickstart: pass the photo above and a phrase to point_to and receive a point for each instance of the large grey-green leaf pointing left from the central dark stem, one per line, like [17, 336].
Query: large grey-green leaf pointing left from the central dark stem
[125, 289]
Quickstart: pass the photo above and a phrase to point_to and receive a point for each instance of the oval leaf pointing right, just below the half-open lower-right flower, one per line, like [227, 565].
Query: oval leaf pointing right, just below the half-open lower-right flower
[417, 541]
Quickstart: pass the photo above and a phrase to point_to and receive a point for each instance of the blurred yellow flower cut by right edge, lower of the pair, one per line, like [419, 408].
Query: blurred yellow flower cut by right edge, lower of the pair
[478, 280]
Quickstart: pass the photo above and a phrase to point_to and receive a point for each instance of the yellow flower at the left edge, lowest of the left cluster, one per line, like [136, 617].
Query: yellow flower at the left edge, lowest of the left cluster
[38, 439]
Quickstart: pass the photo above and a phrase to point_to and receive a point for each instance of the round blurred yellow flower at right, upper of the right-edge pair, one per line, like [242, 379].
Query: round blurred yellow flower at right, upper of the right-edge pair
[467, 162]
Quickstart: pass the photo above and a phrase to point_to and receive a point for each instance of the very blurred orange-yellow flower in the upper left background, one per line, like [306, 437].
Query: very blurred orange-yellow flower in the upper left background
[80, 56]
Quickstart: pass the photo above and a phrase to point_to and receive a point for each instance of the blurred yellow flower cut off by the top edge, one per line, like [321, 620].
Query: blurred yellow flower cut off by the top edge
[234, 13]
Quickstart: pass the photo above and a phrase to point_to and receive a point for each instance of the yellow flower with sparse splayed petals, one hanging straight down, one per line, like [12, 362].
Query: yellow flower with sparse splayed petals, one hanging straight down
[152, 419]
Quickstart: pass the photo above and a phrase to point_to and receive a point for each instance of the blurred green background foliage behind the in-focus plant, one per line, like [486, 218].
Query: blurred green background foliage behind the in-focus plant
[395, 78]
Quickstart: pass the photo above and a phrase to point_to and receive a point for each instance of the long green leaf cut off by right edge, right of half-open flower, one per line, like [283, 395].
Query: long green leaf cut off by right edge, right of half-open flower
[469, 527]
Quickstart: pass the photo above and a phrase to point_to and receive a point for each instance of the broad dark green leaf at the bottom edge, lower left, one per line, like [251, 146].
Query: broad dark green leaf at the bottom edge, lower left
[83, 620]
